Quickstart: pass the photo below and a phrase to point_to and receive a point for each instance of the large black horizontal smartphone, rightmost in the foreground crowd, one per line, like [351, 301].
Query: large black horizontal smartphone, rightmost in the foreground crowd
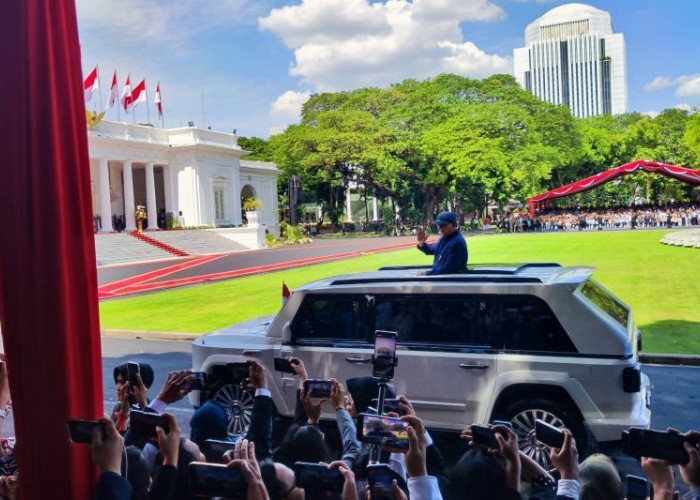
[655, 444]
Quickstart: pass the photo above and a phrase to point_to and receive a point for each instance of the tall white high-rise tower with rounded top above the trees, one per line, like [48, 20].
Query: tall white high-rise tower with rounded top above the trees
[572, 57]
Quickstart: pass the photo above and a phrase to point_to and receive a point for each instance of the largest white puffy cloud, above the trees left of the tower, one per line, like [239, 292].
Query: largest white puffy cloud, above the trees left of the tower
[346, 44]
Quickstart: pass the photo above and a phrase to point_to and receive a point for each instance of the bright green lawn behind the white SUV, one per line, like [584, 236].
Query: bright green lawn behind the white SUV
[661, 283]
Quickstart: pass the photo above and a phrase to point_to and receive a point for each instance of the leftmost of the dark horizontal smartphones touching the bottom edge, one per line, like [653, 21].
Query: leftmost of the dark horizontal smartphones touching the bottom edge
[216, 480]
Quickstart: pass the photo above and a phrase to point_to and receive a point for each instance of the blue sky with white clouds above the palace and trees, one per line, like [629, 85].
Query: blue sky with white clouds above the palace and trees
[249, 65]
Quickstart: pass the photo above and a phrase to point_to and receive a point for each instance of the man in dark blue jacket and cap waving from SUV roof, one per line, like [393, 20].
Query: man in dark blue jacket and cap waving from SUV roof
[450, 252]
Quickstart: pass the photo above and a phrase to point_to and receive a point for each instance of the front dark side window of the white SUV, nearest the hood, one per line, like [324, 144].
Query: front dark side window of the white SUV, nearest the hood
[329, 317]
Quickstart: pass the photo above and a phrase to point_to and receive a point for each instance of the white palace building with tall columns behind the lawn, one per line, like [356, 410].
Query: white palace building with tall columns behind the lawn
[196, 175]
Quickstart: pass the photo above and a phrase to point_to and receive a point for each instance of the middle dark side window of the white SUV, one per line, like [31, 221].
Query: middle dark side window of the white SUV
[434, 319]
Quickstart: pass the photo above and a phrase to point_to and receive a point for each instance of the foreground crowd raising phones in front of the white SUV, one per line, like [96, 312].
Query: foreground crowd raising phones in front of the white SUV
[169, 466]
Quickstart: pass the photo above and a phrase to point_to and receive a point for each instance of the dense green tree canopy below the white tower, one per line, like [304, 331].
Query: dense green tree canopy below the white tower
[464, 143]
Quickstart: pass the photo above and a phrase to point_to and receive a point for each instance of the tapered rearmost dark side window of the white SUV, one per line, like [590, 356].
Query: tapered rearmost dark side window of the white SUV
[526, 323]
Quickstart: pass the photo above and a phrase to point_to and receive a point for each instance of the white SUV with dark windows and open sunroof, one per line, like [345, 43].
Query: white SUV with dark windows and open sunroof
[506, 342]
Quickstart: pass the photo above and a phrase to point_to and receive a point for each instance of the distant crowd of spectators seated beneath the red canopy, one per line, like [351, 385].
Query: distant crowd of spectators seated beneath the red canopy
[640, 216]
